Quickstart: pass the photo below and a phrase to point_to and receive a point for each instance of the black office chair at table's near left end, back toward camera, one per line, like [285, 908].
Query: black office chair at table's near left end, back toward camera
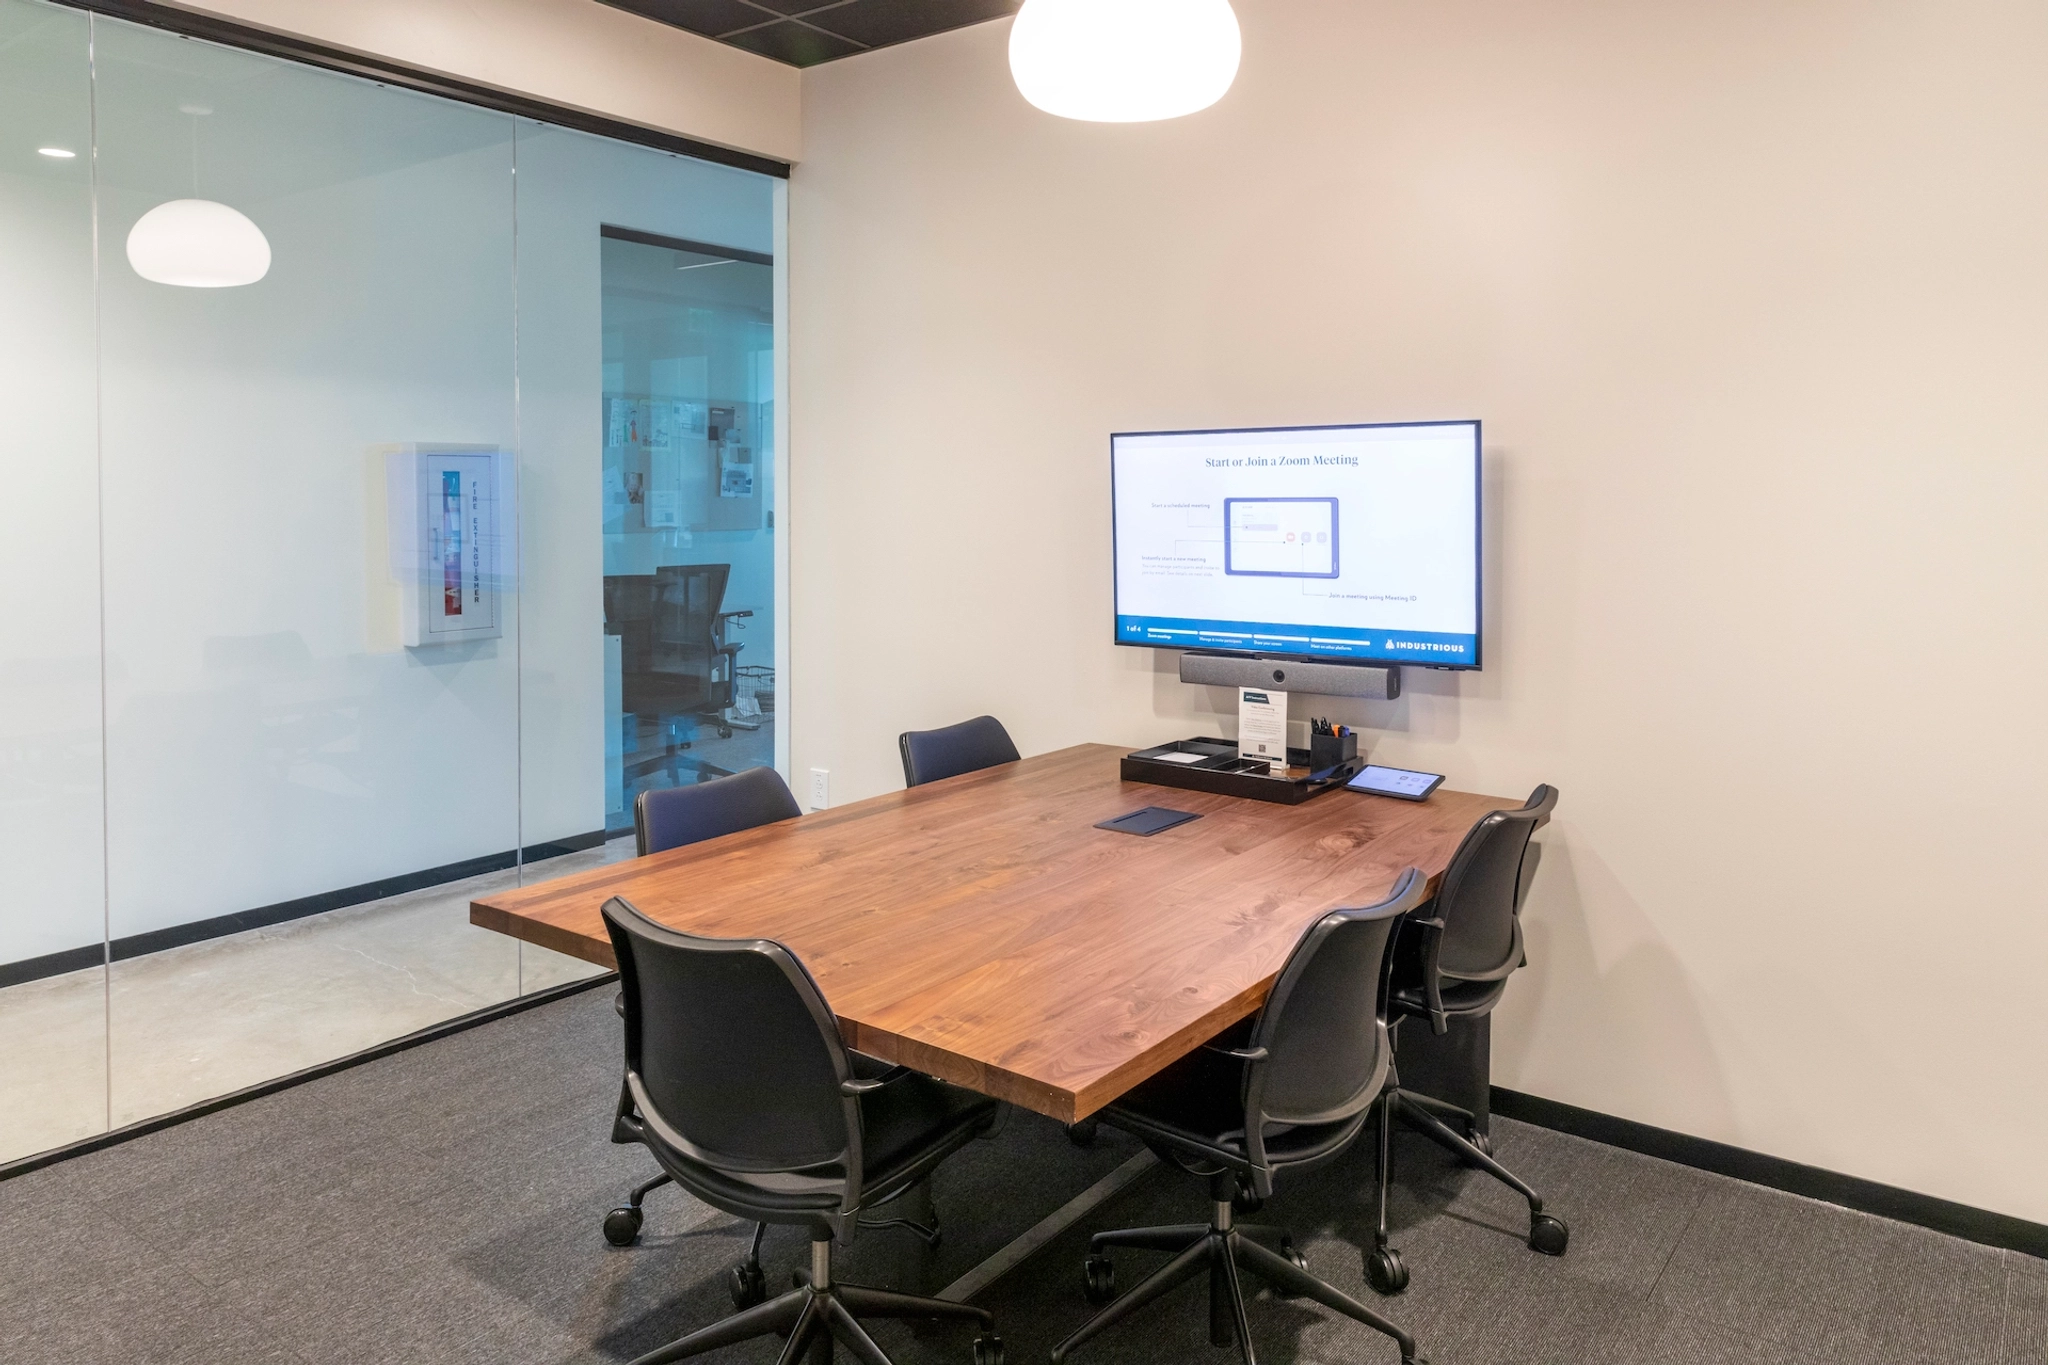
[746, 1096]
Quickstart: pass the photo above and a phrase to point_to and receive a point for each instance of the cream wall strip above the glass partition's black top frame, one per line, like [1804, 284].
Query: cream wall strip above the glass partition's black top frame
[572, 52]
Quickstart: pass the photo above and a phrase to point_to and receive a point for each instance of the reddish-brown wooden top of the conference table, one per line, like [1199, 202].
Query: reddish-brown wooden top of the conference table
[984, 932]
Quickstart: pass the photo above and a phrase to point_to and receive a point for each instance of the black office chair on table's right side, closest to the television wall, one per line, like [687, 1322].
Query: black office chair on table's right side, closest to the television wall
[1453, 961]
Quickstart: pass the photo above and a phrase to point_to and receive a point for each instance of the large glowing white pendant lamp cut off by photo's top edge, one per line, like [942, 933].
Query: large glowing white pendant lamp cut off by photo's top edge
[1125, 60]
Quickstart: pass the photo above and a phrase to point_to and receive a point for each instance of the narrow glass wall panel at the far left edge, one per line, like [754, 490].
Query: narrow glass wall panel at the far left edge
[52, 906]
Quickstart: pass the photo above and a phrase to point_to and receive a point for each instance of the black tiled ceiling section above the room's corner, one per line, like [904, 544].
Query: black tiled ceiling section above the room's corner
[812, 32]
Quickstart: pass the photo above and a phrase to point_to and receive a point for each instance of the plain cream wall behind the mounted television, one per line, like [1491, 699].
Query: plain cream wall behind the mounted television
[1754, 304]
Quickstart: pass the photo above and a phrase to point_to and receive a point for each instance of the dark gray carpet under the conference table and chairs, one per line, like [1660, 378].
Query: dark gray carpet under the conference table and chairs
[443, 1204]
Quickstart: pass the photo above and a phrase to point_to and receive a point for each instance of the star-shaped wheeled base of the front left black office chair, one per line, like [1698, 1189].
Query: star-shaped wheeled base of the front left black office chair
[820, 1315]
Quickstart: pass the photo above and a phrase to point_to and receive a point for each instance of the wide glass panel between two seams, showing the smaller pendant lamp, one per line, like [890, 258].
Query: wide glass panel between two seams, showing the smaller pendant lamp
[280, 738]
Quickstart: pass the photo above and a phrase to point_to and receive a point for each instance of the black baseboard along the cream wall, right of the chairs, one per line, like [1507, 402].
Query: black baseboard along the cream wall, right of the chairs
[1779, 1174]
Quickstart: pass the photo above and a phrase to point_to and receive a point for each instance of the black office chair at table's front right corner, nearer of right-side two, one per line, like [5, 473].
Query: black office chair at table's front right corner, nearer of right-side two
[1295, 1094]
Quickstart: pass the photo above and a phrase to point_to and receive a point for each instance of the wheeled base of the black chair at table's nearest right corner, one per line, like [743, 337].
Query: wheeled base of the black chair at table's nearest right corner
[1222, 1249]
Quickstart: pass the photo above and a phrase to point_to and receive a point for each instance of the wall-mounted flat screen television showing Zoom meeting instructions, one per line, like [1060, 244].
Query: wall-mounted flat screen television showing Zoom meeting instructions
[1336, 543]
